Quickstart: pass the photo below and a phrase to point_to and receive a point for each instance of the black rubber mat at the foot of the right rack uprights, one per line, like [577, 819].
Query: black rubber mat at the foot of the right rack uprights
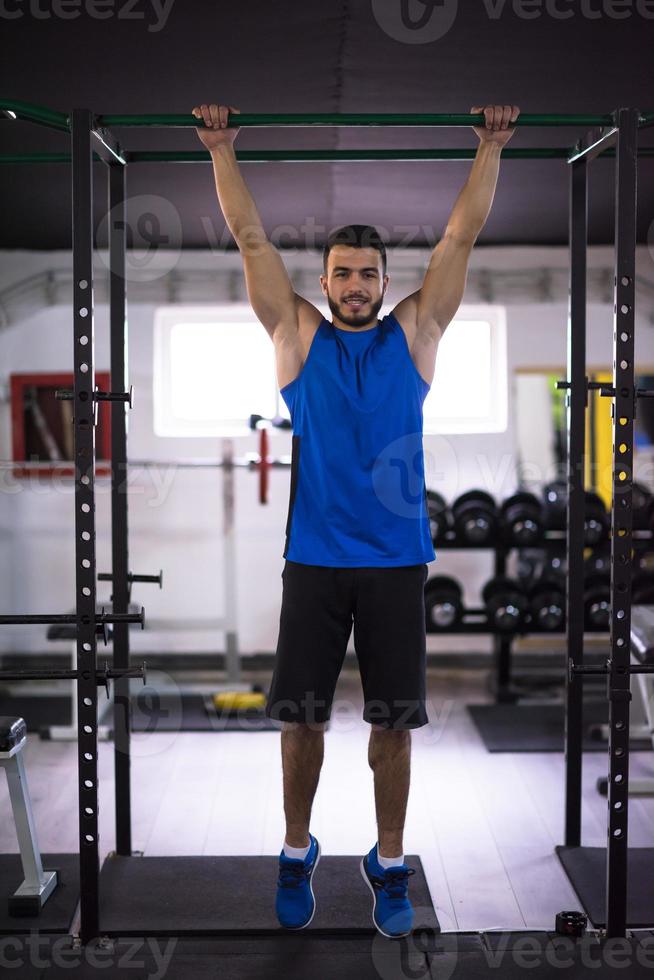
[586, 869]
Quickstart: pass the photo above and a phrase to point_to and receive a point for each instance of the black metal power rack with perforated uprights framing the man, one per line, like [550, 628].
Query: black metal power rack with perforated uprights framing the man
[92, 140]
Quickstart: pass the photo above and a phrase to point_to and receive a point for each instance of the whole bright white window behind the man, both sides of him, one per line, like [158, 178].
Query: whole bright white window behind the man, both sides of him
[215, 366]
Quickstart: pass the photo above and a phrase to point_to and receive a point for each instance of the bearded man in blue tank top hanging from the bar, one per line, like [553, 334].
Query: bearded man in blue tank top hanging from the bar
[358, 537]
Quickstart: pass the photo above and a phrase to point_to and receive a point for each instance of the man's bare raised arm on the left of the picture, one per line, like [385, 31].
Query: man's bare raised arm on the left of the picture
[269, 288]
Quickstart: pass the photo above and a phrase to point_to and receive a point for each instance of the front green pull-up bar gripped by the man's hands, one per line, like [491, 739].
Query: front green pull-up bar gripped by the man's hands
[355, 119]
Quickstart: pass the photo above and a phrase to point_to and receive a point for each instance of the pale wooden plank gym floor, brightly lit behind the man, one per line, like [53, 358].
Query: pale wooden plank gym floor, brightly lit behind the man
[485, 825]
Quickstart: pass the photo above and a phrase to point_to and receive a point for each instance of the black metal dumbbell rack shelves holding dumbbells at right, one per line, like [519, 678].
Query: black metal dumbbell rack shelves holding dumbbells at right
[475, 620]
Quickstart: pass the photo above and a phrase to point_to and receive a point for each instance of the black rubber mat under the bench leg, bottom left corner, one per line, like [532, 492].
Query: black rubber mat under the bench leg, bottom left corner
[57, 913]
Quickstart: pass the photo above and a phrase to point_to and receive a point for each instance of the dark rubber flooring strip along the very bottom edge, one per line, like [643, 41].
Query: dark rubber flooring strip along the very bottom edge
[299, 956]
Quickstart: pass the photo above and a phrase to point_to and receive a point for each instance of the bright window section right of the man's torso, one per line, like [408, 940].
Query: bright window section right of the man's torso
[469, 391]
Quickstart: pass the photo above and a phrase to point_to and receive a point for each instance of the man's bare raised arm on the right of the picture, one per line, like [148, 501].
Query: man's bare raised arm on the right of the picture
[429, 310]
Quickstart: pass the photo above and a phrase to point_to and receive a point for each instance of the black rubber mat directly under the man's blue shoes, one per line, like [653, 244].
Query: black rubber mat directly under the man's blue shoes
[214, 895]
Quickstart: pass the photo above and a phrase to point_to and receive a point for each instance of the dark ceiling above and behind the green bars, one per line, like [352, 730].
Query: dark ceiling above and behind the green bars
[148, 56]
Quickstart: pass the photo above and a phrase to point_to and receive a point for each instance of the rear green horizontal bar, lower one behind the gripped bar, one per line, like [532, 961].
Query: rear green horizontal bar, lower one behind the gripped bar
[312, 156]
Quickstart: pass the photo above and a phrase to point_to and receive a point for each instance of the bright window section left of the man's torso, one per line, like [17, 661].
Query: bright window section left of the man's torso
[214, 366]
